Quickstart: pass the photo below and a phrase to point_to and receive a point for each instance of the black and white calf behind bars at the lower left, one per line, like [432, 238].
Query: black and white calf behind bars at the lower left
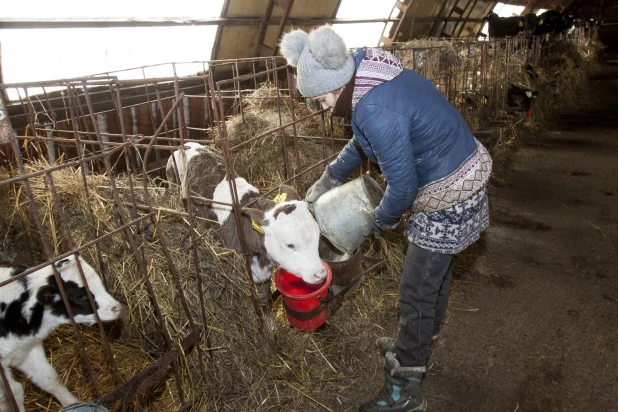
[31, 308]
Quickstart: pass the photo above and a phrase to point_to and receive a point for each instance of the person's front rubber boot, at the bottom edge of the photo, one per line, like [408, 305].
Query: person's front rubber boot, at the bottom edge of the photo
[401, 391]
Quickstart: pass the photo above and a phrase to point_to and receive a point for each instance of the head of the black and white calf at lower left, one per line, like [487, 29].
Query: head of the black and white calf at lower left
[48, 295]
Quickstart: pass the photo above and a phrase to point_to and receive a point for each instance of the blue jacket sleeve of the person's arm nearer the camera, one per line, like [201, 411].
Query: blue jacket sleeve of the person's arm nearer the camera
[387, 133]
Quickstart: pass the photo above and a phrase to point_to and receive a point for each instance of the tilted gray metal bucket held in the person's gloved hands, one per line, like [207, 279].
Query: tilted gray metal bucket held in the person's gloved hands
[345, 213]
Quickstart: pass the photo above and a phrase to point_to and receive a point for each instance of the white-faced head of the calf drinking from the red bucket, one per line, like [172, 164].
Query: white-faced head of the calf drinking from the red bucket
[291, 238]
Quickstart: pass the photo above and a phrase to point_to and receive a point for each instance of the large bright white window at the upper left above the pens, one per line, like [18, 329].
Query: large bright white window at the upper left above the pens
[31, 55]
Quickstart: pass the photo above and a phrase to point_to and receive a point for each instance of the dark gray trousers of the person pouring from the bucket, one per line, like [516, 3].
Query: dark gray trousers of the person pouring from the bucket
[423, 297]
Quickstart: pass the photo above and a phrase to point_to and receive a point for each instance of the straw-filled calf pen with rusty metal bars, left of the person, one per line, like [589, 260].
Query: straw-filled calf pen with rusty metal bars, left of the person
[84, 173]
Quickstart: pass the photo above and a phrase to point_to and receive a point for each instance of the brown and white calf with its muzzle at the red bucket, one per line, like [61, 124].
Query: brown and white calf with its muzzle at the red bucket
[290, 233]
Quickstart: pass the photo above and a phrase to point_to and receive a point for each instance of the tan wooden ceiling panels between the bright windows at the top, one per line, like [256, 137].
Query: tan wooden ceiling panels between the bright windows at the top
[449, 18]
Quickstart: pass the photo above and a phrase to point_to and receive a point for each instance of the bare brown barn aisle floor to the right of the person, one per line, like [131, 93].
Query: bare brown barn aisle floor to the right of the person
[533, 318]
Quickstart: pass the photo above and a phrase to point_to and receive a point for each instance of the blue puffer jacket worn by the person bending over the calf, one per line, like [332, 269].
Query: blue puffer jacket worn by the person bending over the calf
[416, 136]
